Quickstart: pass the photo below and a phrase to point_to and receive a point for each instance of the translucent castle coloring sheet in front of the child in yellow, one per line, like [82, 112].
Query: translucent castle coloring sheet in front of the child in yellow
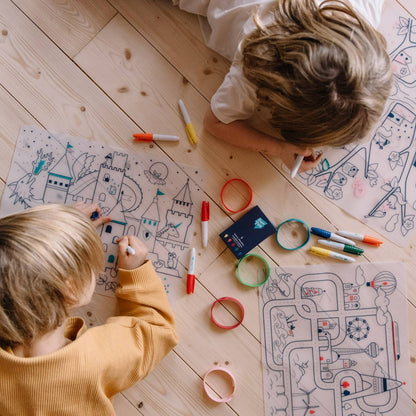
[152, 199]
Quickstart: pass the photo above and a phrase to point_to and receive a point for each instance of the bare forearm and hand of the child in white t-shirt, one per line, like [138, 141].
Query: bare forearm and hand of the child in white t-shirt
[241, 134]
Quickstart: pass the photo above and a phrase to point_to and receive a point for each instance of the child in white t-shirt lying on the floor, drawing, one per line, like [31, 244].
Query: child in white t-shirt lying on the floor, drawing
[319, 68]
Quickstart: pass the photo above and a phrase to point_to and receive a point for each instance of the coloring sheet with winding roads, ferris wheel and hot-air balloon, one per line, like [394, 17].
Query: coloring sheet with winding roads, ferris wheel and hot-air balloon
[335, 341]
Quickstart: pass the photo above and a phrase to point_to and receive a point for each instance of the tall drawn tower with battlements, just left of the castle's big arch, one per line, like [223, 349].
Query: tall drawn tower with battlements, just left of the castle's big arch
[107, 190]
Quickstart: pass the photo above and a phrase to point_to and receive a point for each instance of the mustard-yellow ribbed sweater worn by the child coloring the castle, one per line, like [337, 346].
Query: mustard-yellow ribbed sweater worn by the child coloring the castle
[83, 376]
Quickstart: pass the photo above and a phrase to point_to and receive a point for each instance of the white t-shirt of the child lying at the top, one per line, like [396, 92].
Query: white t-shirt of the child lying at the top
[224, 23]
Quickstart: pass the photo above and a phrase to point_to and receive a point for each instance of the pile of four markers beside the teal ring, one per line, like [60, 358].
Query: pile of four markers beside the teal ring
[343, 241]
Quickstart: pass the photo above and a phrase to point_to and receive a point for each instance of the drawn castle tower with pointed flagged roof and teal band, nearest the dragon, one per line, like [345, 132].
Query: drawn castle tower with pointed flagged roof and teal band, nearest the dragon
[59, 179]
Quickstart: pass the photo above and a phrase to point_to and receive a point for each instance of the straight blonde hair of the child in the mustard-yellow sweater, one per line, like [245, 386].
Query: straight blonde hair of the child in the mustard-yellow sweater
[47, 257]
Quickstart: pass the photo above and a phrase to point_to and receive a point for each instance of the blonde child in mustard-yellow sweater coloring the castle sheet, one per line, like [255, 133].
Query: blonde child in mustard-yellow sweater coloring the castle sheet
[50, 363]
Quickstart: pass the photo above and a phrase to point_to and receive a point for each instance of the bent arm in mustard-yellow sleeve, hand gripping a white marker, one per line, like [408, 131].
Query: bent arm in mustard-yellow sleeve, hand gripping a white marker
[145, 330]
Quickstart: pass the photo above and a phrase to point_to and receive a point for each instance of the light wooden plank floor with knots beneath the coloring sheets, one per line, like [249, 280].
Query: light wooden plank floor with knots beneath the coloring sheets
[102, 70]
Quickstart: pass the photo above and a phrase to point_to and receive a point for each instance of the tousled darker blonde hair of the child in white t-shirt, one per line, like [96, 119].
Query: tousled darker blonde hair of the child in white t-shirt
[324, 72]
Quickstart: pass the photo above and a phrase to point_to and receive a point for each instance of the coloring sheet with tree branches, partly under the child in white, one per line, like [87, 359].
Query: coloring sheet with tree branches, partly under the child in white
[376, 181]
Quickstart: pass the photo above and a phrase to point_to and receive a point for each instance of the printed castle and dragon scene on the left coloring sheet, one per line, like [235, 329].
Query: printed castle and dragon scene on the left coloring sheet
[163, 226]
